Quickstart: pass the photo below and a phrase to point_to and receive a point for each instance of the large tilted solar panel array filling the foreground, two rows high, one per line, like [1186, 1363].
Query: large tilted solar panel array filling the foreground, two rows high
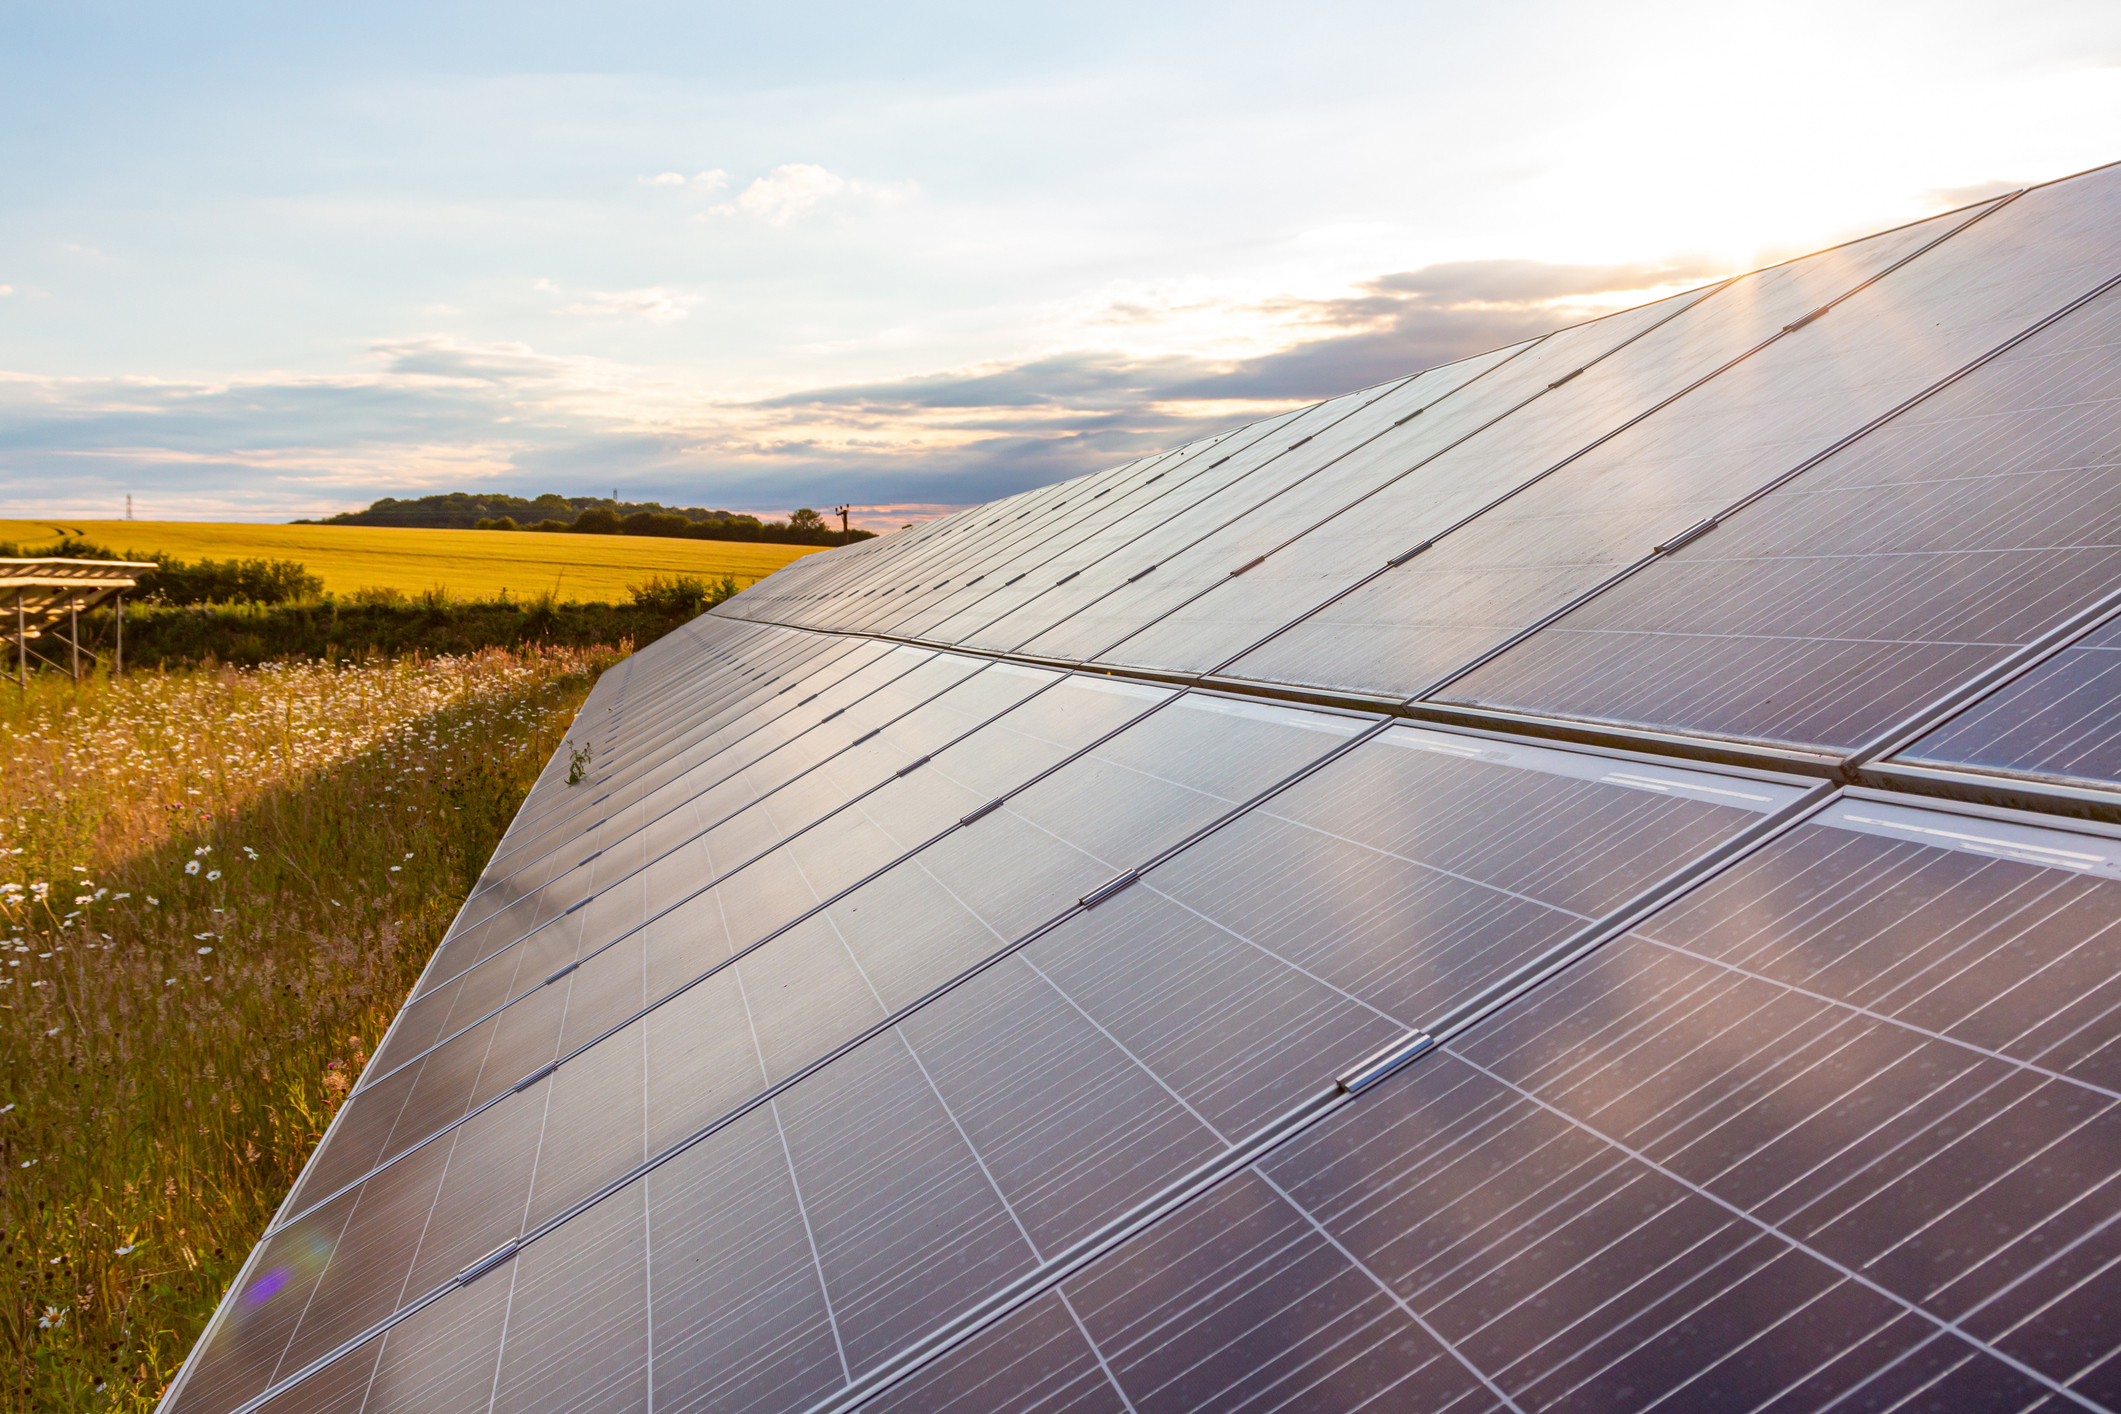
[1577, 881]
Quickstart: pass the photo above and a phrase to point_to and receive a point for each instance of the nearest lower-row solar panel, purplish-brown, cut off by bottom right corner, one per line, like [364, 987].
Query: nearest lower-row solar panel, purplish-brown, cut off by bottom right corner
[1836, 1131]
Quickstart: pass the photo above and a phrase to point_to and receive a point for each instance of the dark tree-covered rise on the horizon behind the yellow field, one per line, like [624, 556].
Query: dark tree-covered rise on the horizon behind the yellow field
[591, 516]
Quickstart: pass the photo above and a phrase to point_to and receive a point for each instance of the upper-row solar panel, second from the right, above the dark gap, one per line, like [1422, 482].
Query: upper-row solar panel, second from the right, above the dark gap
[1863, 590]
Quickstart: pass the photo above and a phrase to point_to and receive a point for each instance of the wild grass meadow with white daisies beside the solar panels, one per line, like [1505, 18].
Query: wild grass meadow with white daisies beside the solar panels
[215, 889]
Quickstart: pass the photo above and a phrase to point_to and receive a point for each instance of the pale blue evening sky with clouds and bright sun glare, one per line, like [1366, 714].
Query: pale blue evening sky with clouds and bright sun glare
[264, 262]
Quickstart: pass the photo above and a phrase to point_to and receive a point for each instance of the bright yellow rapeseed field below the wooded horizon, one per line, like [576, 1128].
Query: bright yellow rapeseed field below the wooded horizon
[472, 565]
